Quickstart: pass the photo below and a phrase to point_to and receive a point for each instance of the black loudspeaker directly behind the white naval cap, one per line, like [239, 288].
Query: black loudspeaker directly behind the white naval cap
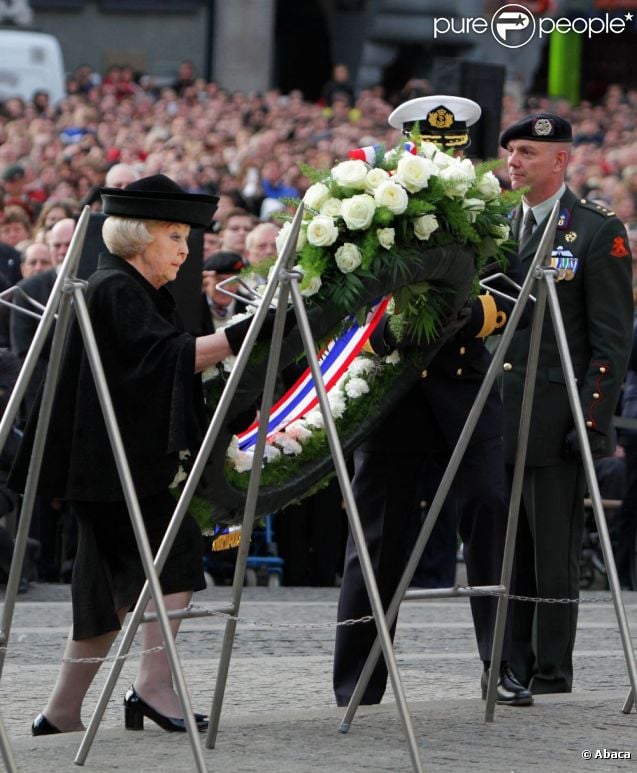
[484, 83]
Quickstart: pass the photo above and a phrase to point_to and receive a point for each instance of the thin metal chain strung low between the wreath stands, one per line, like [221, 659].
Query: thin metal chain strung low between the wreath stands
[340, 624]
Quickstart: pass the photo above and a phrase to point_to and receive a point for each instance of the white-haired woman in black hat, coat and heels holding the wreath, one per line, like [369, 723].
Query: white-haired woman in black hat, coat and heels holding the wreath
[152, 369]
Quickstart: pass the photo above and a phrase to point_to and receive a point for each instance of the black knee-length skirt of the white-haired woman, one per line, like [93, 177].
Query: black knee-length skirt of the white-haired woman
[108, 574]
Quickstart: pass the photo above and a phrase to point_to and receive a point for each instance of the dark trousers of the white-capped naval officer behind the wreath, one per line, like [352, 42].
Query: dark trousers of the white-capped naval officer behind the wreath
[385, 486]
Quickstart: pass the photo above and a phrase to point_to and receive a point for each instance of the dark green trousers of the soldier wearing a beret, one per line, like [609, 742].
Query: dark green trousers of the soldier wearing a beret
[547, 565]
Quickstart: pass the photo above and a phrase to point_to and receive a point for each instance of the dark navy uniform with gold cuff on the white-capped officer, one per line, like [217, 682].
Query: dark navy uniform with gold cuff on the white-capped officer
[425, 427]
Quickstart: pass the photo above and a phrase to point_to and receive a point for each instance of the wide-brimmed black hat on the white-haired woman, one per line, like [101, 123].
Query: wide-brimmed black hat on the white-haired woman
[159, 198]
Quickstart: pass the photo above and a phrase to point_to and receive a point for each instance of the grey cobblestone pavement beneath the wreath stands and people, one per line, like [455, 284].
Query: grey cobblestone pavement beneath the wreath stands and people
[279, 713]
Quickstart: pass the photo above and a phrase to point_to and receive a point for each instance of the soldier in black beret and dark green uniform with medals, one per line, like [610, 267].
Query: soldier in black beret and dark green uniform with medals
[596, 304]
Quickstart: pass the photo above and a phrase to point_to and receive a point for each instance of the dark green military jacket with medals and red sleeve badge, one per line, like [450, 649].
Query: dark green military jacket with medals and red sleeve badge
[597, 309]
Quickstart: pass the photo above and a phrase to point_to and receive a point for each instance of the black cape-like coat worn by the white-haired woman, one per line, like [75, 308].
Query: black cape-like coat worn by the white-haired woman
[149, 366]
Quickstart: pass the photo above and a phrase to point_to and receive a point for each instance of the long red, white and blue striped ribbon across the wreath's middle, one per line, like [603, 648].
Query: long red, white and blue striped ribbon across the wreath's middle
[334, 360]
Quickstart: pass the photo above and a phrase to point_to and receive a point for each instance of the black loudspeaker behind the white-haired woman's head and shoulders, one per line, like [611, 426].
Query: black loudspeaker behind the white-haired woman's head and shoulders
[186, 289]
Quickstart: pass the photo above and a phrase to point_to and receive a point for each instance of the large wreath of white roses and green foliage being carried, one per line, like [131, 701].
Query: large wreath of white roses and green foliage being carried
[372, 223]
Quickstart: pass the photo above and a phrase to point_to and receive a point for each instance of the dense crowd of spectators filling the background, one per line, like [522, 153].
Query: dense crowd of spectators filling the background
[247, 149]
